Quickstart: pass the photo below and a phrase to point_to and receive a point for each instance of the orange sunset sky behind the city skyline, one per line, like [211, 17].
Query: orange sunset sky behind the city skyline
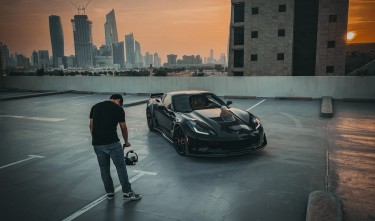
[164, 26]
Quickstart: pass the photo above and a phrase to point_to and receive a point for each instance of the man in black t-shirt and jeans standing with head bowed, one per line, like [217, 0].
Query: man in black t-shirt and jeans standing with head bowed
[104, 118]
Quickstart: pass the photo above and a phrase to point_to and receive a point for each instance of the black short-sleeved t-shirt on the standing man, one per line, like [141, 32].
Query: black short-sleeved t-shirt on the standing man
[106, 115]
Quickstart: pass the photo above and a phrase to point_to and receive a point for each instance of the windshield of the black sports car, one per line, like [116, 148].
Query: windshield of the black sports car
[188, 103]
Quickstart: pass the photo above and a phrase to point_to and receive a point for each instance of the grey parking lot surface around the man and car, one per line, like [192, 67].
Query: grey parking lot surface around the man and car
[49, 171]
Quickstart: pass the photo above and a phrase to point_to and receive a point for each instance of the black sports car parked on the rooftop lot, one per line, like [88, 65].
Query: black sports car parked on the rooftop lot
[200, 123]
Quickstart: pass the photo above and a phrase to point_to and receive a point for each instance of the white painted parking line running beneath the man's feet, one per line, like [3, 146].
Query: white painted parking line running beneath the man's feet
[101, 199]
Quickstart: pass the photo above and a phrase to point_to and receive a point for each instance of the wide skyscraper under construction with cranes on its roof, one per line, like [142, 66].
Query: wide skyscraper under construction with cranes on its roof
[82, 30]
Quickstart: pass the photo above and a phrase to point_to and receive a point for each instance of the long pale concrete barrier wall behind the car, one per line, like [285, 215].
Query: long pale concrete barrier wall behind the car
[275, 86]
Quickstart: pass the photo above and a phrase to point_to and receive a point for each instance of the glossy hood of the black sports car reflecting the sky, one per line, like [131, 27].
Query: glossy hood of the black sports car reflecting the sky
[224, 120]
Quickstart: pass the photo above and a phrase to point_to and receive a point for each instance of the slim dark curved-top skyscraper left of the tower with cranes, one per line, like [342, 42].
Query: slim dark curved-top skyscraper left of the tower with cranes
[57, 38]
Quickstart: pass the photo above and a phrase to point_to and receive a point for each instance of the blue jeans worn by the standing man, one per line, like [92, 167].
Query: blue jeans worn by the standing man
[116, 153]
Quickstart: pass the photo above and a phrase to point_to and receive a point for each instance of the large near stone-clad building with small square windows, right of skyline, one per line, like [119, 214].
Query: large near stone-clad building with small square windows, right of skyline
[288, 37]
